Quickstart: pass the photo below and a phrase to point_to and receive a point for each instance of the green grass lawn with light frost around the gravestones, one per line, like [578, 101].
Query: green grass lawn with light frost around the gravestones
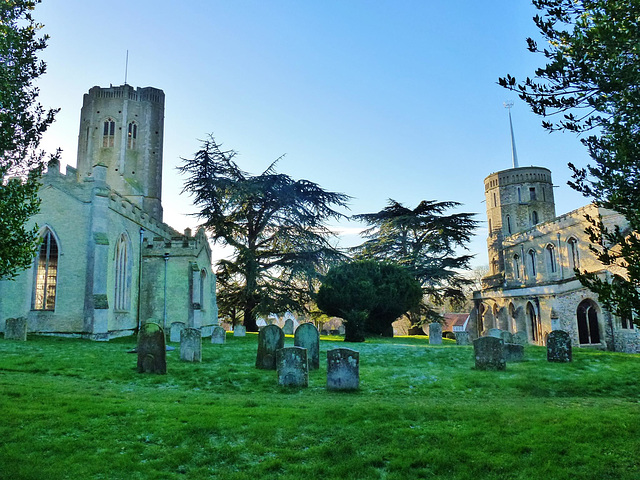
[78, 409]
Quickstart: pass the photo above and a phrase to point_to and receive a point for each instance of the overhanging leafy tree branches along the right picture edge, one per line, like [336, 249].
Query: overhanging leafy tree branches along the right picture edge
[591, 84]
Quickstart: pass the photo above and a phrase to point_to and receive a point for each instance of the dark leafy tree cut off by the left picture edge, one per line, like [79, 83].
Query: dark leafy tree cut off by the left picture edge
[22, 123]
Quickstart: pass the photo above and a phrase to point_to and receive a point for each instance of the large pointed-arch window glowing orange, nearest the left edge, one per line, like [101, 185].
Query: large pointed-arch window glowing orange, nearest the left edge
[46, 272]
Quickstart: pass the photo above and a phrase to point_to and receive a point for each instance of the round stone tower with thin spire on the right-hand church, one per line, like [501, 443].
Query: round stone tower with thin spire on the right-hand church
[517, 199]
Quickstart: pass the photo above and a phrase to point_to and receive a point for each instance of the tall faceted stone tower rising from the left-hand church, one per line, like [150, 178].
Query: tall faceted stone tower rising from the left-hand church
[122, 128]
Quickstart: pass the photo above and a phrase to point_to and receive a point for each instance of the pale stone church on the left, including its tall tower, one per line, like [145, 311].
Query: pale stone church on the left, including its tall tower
[107, 262]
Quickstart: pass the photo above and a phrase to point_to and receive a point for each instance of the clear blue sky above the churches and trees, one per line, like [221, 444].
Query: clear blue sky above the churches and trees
[377, 99]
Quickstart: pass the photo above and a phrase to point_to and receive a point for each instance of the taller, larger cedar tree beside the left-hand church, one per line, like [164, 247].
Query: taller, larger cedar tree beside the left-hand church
[275, 225]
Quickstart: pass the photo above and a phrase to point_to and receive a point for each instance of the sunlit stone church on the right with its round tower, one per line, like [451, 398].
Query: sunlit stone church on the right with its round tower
[531, 286]
